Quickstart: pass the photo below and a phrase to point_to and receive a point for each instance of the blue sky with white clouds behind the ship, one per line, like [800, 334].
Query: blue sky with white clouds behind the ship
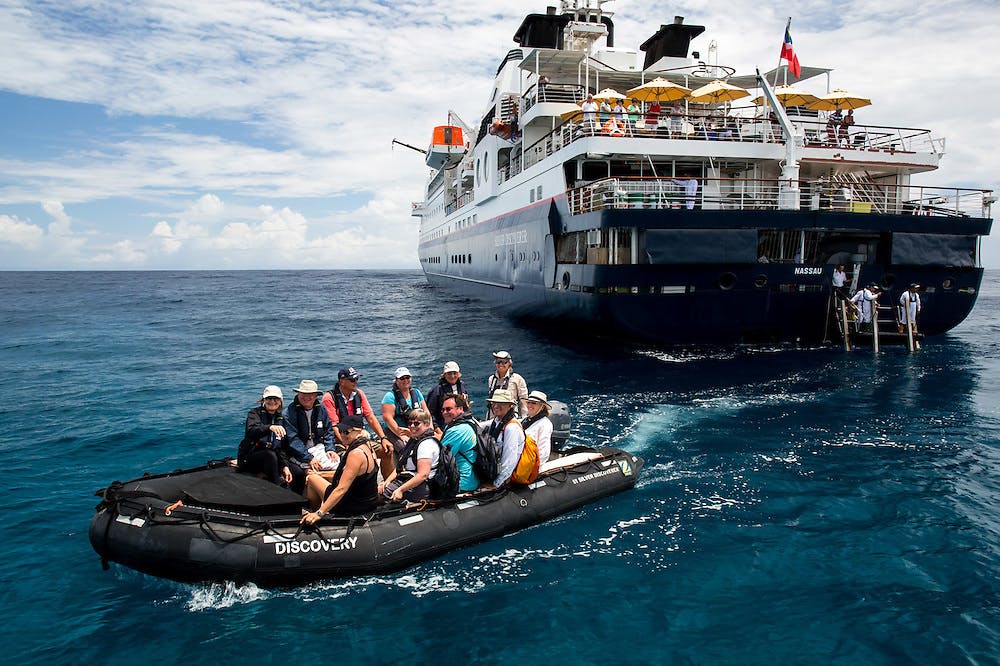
[171, 134]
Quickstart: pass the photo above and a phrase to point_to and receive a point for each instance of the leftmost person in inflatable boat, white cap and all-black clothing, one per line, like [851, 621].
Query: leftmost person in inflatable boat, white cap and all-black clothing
[263, 449]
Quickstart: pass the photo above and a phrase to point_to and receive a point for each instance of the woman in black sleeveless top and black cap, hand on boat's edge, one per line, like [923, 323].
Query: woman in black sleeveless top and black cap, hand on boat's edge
[354, 488]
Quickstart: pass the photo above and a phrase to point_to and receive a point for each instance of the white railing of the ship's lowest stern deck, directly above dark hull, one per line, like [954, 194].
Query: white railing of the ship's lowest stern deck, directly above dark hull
[733, 194]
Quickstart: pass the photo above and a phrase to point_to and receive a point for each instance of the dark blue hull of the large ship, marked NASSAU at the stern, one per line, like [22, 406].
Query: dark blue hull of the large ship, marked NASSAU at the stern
[694, 277]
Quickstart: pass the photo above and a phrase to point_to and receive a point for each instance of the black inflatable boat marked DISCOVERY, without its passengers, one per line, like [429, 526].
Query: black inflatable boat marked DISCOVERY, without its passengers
[213, 524]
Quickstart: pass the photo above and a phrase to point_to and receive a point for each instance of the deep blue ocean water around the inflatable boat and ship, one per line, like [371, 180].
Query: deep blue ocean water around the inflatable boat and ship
[797, 505]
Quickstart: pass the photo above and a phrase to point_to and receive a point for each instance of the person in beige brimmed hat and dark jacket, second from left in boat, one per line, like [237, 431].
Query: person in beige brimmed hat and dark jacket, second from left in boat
[310, 435]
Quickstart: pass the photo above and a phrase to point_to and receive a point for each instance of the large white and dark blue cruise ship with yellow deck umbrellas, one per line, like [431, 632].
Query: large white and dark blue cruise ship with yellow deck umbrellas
[711, 219]
